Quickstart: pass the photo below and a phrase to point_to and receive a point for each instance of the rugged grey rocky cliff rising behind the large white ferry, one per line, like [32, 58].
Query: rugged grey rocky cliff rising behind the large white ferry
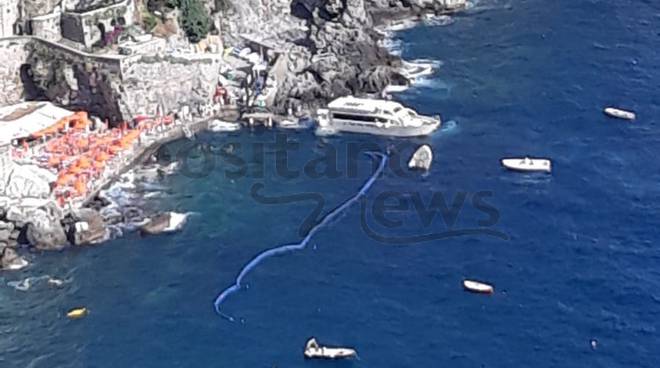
[331, 46]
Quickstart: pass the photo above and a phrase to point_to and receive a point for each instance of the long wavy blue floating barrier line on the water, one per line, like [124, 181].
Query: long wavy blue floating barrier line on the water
[301, 245]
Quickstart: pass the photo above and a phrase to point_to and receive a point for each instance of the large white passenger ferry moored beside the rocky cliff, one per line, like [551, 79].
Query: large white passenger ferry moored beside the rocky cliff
[373, 116]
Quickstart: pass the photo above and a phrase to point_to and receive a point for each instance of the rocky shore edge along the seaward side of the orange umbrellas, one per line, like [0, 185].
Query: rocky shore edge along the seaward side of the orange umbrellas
[44, 226]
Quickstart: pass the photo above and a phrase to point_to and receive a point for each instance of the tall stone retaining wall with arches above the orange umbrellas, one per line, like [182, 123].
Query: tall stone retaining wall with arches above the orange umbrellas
[113, 88]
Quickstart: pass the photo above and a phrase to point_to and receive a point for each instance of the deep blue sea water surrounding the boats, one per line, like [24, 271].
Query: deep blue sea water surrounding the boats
[581, 263]
